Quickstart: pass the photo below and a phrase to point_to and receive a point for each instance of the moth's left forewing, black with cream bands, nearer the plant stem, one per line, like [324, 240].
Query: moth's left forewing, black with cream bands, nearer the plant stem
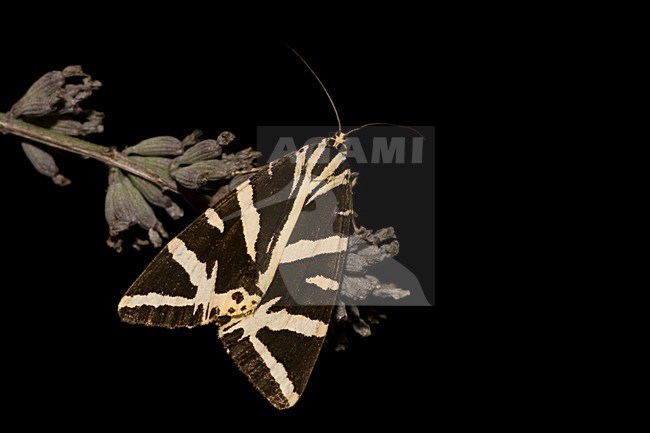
[212, 268]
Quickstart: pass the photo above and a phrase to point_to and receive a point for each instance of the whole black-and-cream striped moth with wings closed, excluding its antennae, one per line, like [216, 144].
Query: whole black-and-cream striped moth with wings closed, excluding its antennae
[265, 263]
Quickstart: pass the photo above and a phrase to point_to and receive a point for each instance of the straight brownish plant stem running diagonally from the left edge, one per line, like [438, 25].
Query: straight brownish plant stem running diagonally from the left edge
[109, 156]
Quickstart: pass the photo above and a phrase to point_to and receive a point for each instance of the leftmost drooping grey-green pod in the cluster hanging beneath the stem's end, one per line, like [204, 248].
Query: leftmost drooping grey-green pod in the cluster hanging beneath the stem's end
[118, 208]
